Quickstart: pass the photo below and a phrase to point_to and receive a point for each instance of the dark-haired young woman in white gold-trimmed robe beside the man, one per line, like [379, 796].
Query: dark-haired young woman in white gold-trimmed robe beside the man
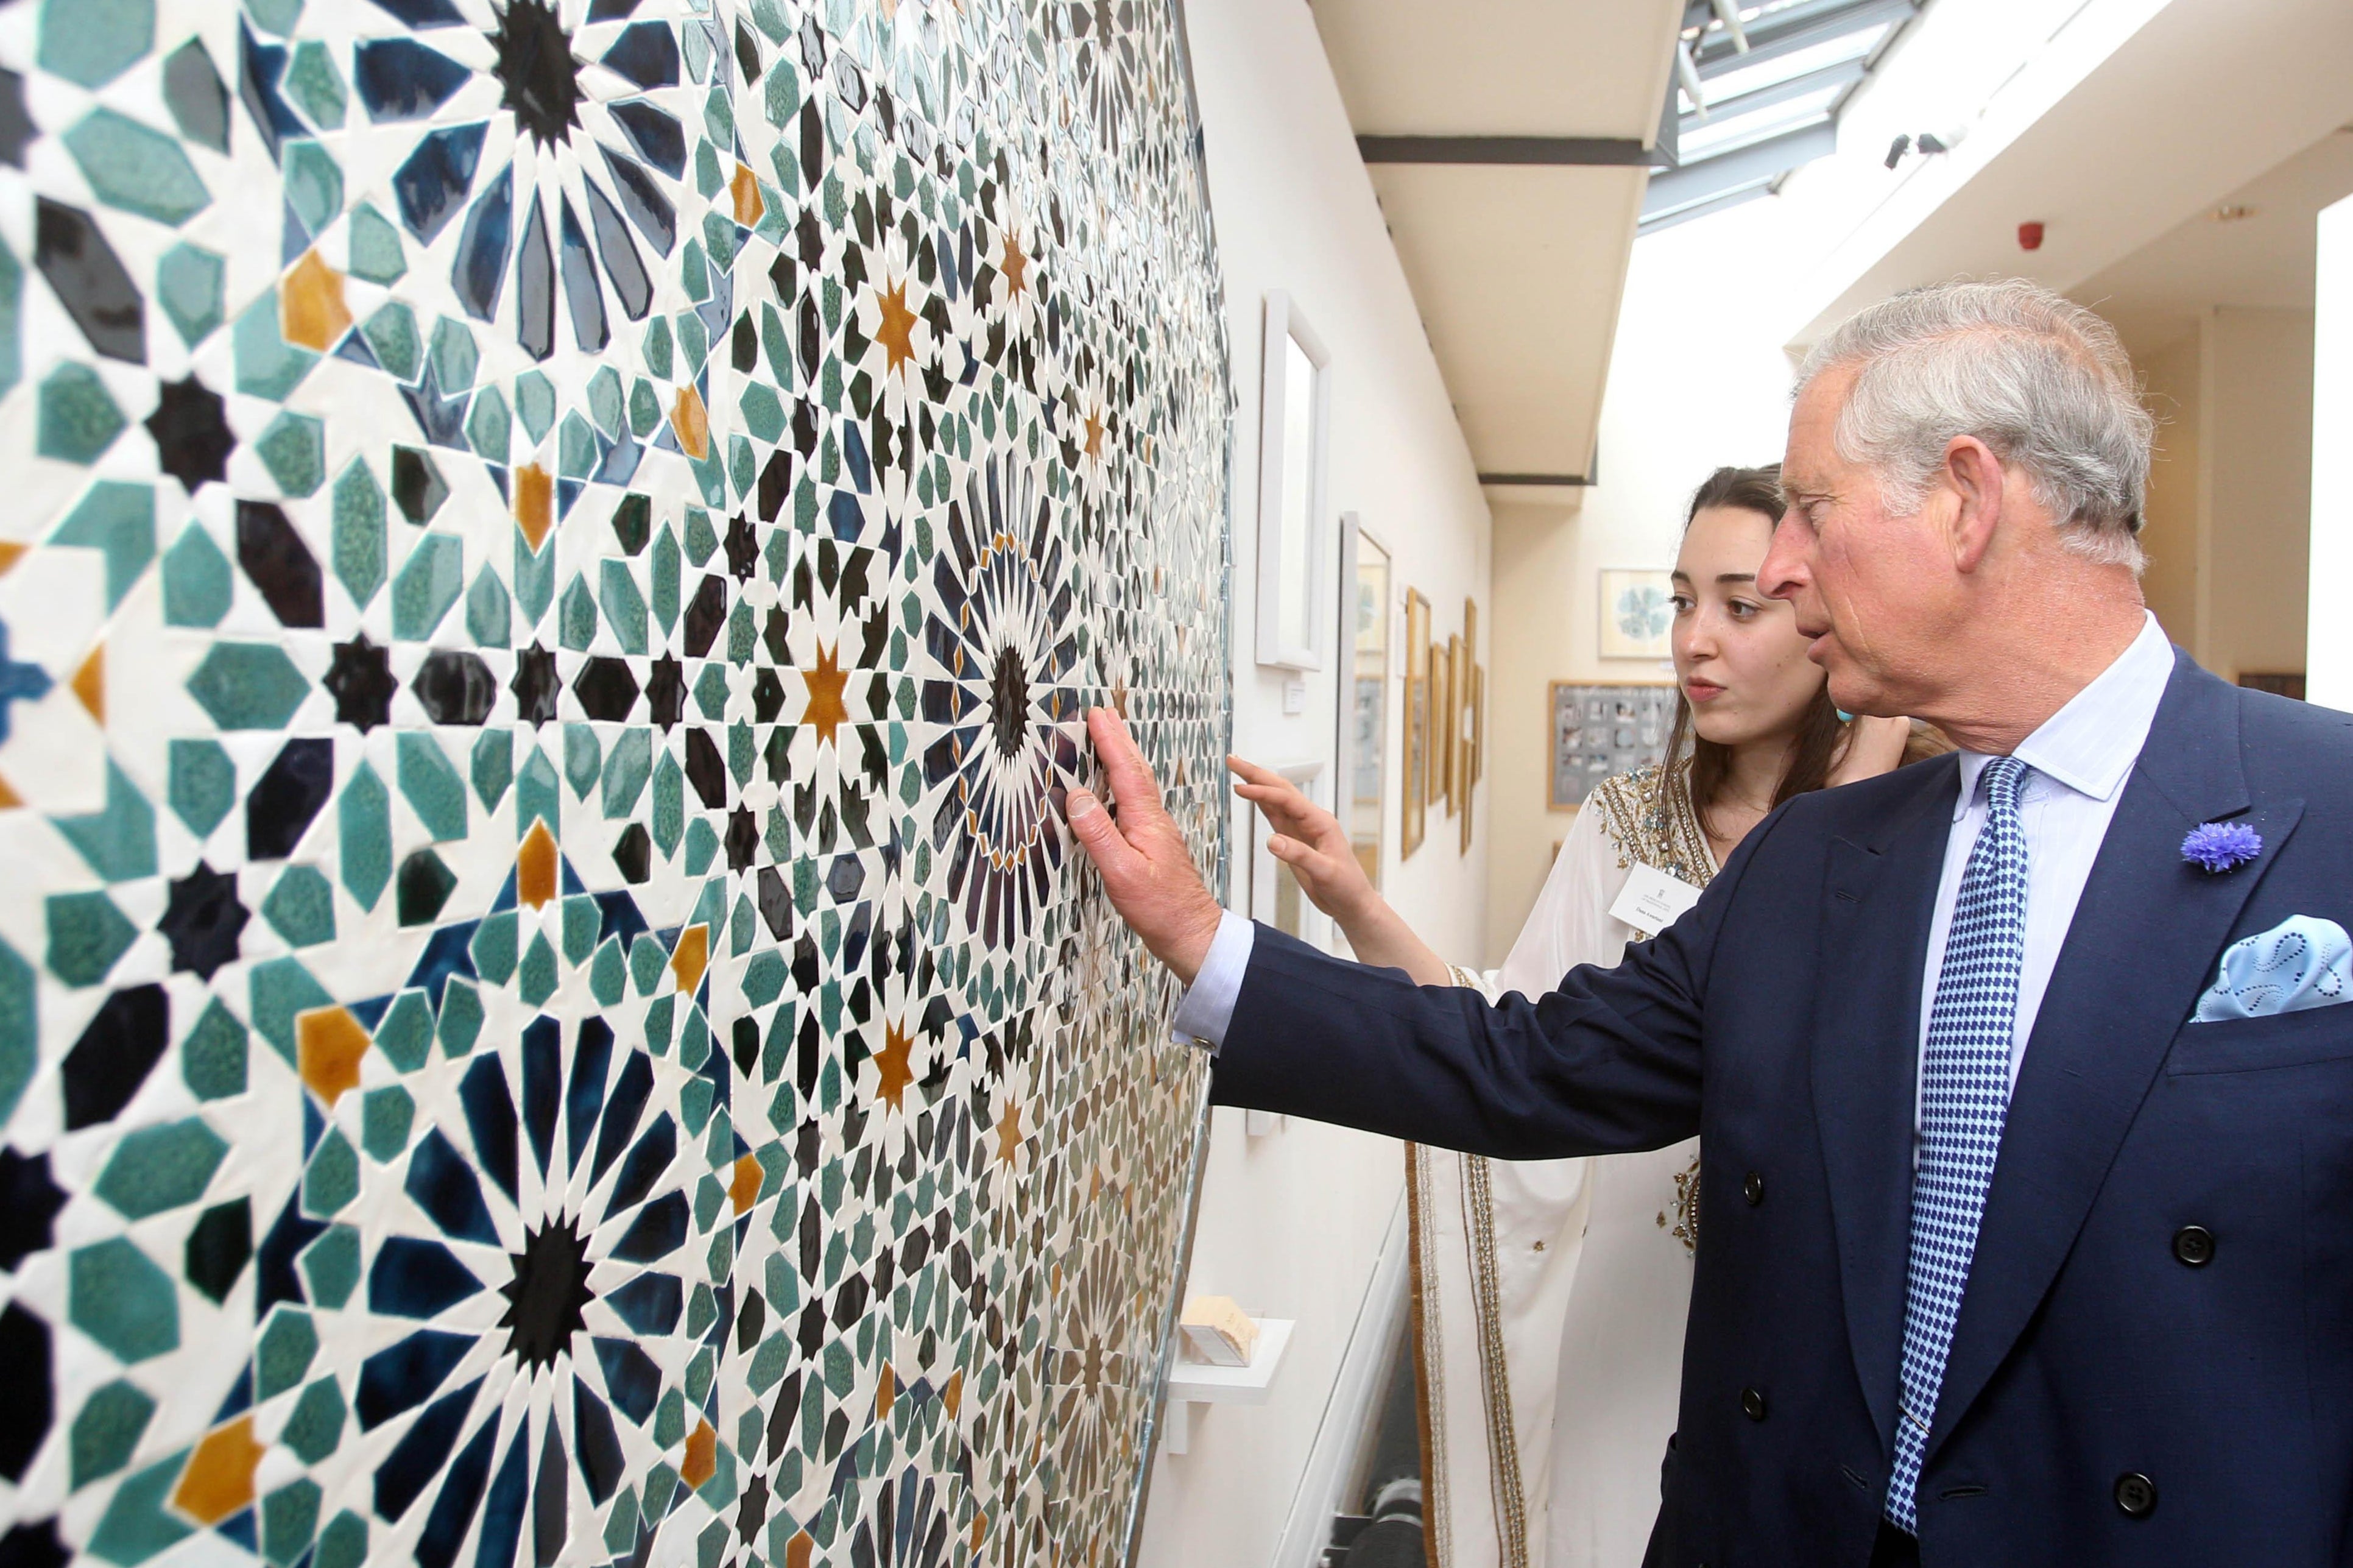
[1549, 1296]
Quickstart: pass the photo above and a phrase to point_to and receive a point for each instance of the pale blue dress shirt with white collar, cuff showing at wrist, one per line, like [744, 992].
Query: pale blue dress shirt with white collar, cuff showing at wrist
[2081, 759]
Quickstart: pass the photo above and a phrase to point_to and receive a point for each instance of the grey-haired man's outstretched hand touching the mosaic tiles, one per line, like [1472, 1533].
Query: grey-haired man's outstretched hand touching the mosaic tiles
[1147, 868]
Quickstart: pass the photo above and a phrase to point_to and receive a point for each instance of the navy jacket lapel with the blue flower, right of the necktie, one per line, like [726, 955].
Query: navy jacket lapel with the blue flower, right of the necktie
[2145, 941]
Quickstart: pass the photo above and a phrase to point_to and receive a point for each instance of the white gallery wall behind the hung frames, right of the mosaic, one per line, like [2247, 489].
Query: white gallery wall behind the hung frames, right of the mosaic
[1293, 1221]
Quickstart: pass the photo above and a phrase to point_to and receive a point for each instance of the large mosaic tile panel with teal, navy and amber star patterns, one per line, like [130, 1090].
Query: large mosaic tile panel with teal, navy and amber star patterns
[552, 569]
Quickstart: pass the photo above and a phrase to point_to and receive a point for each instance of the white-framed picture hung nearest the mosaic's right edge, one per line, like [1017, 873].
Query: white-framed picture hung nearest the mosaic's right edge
[1295, 427]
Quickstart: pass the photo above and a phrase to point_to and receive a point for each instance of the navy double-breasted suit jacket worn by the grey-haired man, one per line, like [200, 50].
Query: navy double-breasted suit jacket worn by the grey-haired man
[1782, 1023]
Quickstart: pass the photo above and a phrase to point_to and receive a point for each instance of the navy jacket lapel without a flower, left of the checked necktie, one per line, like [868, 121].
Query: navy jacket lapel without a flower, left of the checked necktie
[1867, 1061]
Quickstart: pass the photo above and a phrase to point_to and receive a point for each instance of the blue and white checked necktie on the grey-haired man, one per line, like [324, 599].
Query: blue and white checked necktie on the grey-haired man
[1964, 1098]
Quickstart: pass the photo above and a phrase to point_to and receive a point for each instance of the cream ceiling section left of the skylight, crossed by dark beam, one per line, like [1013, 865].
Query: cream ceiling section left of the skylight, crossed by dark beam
[1517, 267]
